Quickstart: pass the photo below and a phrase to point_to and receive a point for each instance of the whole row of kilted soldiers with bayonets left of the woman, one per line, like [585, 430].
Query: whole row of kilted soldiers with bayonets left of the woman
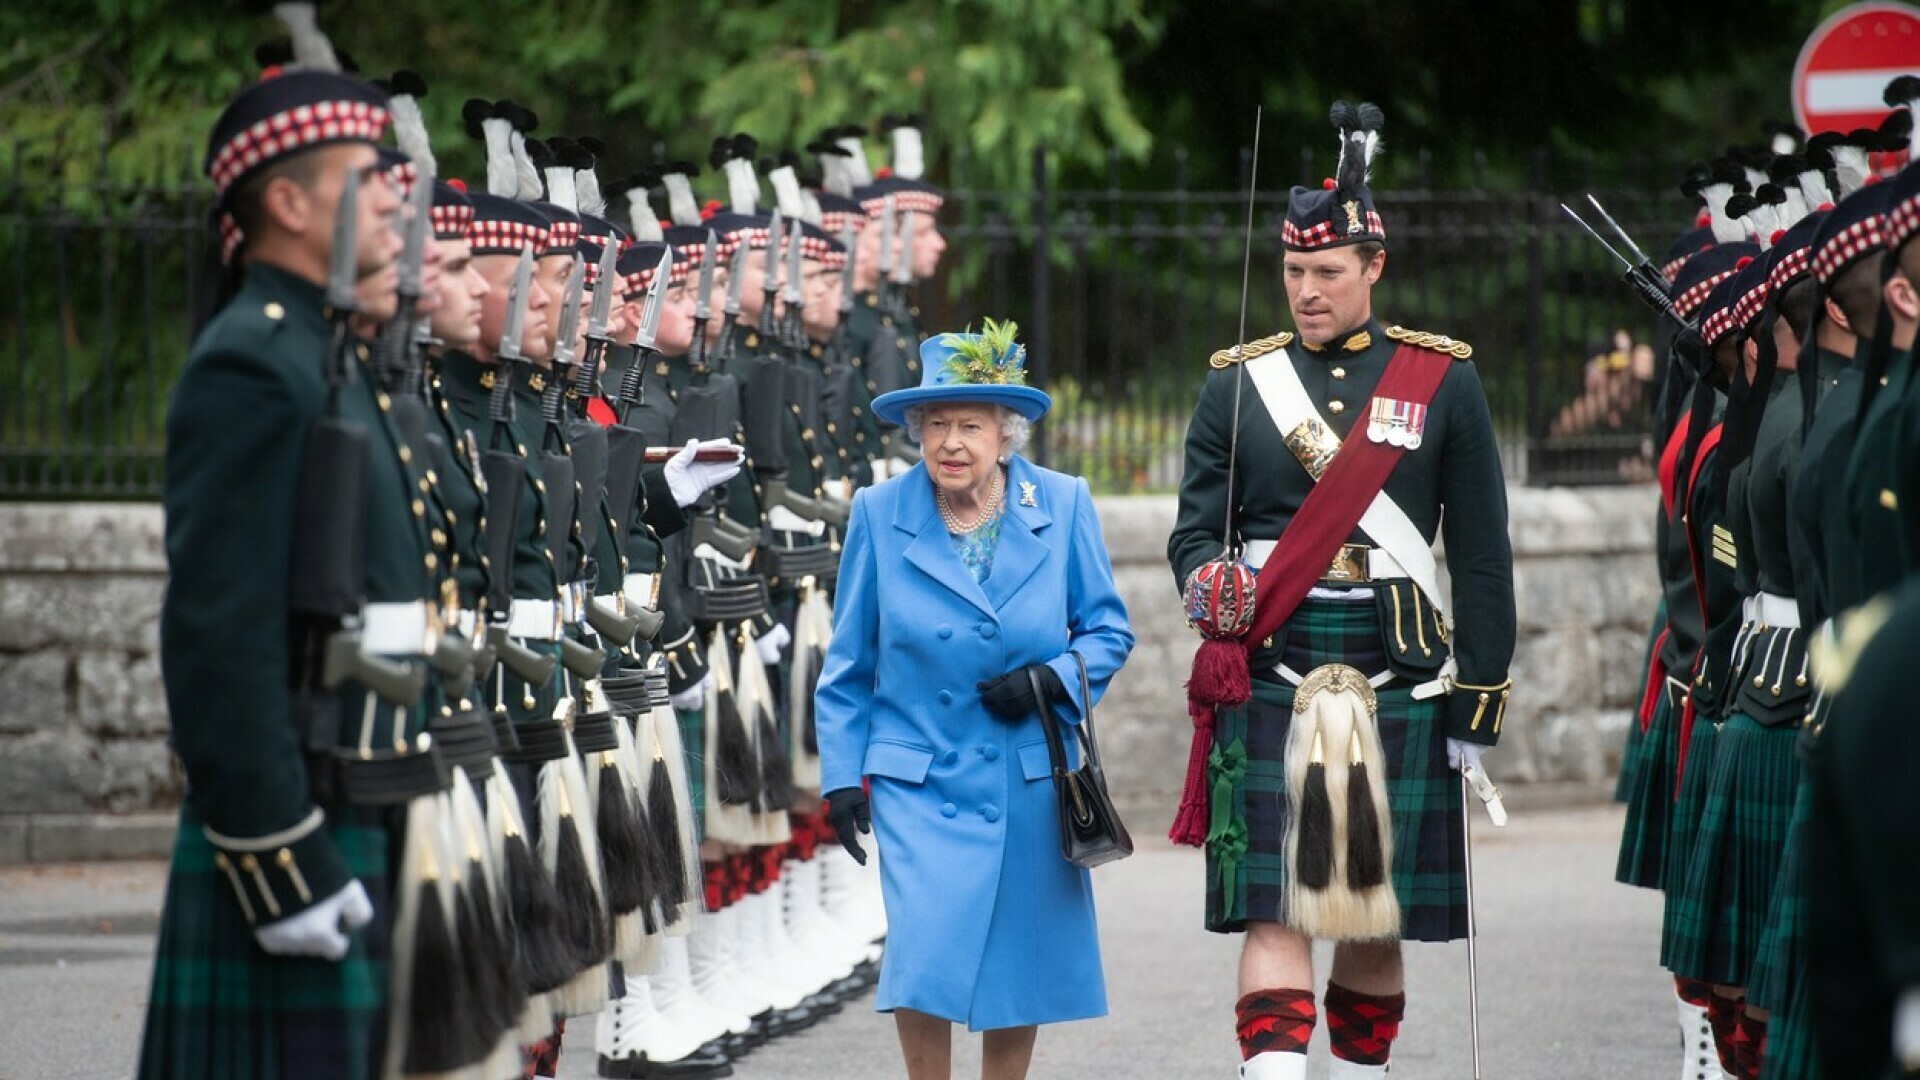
[502, 526]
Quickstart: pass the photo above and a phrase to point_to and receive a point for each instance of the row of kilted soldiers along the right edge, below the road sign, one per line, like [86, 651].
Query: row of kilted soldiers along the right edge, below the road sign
[1767, 775]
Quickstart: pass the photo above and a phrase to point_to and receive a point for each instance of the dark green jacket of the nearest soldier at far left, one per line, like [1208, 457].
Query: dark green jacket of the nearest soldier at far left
[237, 435]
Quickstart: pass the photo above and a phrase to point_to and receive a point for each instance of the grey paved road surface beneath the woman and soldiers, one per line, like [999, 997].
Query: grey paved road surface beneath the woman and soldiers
[1570, 985]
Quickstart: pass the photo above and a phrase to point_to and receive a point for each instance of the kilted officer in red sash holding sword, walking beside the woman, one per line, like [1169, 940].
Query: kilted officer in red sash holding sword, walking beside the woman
[1366, 660]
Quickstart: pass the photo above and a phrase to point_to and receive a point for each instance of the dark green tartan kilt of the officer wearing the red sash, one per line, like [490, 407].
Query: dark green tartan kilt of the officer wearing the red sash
[1247, 875]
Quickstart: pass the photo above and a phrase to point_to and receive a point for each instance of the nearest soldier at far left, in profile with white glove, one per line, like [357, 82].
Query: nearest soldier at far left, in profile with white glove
[276, 933]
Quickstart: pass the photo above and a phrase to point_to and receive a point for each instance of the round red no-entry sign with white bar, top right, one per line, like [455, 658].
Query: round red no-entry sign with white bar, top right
[1848, 62]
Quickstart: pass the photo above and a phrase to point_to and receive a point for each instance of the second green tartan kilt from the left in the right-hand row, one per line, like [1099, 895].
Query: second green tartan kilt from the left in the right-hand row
[1735, 864]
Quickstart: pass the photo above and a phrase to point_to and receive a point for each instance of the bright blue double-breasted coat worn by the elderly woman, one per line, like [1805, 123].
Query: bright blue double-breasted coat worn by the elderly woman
[986, 921]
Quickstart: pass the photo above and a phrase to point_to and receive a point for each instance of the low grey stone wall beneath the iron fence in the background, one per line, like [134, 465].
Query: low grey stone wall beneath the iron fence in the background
[84, 720]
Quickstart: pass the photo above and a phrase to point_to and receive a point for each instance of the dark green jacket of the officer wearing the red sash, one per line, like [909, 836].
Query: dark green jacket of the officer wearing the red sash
[1454, 470]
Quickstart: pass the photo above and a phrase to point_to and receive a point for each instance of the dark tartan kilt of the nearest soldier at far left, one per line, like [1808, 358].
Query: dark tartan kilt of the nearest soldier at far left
[226, 1010]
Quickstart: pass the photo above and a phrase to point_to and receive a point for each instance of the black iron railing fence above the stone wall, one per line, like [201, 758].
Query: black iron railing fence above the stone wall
[1122, 295]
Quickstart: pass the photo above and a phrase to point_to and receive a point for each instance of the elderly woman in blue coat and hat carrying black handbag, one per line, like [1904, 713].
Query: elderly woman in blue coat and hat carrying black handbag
[959, 585]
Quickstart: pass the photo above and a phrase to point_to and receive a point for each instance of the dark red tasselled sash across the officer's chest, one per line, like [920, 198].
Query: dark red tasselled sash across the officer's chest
[1301, 558]
